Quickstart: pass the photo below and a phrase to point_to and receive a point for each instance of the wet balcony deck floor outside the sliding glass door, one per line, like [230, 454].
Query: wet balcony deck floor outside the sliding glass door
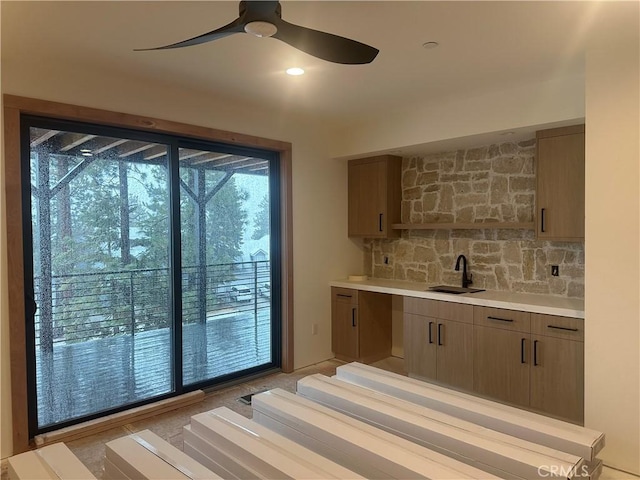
[86, 377]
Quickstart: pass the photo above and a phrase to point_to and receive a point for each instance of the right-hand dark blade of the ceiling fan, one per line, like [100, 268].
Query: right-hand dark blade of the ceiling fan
[326, 46]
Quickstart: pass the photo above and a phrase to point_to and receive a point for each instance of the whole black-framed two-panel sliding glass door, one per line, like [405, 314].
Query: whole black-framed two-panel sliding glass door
[149, 267]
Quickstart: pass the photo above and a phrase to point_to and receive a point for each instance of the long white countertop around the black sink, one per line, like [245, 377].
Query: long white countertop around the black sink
[526, 302]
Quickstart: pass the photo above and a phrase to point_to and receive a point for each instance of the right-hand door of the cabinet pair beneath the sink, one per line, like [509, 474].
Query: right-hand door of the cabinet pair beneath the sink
[455, 354]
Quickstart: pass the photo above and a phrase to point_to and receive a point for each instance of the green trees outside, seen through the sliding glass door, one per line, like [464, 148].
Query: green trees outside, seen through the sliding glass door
[94, 293]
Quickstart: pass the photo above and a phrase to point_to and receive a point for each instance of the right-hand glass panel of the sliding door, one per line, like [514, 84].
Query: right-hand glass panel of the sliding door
[226, 264]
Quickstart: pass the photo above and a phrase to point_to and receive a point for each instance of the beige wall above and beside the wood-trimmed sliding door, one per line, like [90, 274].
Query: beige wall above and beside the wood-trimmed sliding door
[322, 251]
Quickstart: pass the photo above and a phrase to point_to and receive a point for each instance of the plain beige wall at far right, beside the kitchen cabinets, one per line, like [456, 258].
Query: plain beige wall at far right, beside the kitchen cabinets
[612, 282]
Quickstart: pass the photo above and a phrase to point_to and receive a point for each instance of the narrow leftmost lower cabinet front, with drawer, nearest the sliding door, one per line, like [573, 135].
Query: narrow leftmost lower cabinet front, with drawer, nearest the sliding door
[344, 324]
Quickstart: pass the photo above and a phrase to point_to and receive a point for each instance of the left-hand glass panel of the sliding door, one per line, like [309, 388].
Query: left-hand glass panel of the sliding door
[100, 247]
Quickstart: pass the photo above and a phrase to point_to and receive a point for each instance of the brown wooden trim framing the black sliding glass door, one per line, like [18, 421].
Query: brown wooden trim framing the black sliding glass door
[14, 107]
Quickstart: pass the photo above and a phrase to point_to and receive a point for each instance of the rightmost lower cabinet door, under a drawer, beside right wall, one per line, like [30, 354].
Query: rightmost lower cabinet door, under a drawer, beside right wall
[557, 377]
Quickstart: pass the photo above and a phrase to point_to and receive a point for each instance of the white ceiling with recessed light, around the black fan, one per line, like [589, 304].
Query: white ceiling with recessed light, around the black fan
[484, 46]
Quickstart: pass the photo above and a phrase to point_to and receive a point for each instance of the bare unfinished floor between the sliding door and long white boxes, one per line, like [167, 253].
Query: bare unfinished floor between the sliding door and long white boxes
[91, 450]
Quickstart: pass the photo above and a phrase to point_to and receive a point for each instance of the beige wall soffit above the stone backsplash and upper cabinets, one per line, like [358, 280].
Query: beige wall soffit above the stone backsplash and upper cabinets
[536, 104]
